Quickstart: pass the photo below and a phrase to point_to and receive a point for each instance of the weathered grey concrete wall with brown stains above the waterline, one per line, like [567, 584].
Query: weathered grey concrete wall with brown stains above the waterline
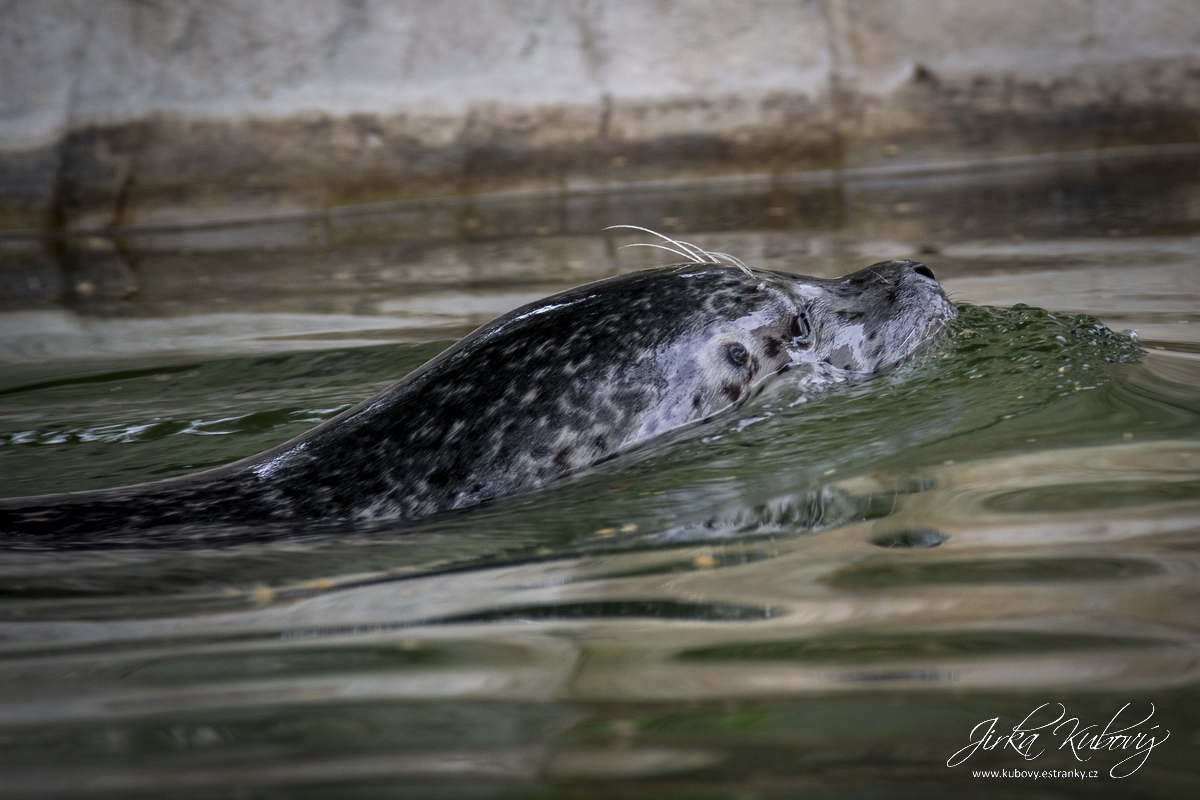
[128, 112]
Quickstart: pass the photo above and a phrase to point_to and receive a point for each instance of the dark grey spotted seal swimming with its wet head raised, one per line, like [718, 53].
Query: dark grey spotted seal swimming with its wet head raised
[537, 395]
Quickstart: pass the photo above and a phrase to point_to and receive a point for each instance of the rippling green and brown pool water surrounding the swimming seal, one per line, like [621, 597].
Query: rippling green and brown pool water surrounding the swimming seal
[823, 596]
